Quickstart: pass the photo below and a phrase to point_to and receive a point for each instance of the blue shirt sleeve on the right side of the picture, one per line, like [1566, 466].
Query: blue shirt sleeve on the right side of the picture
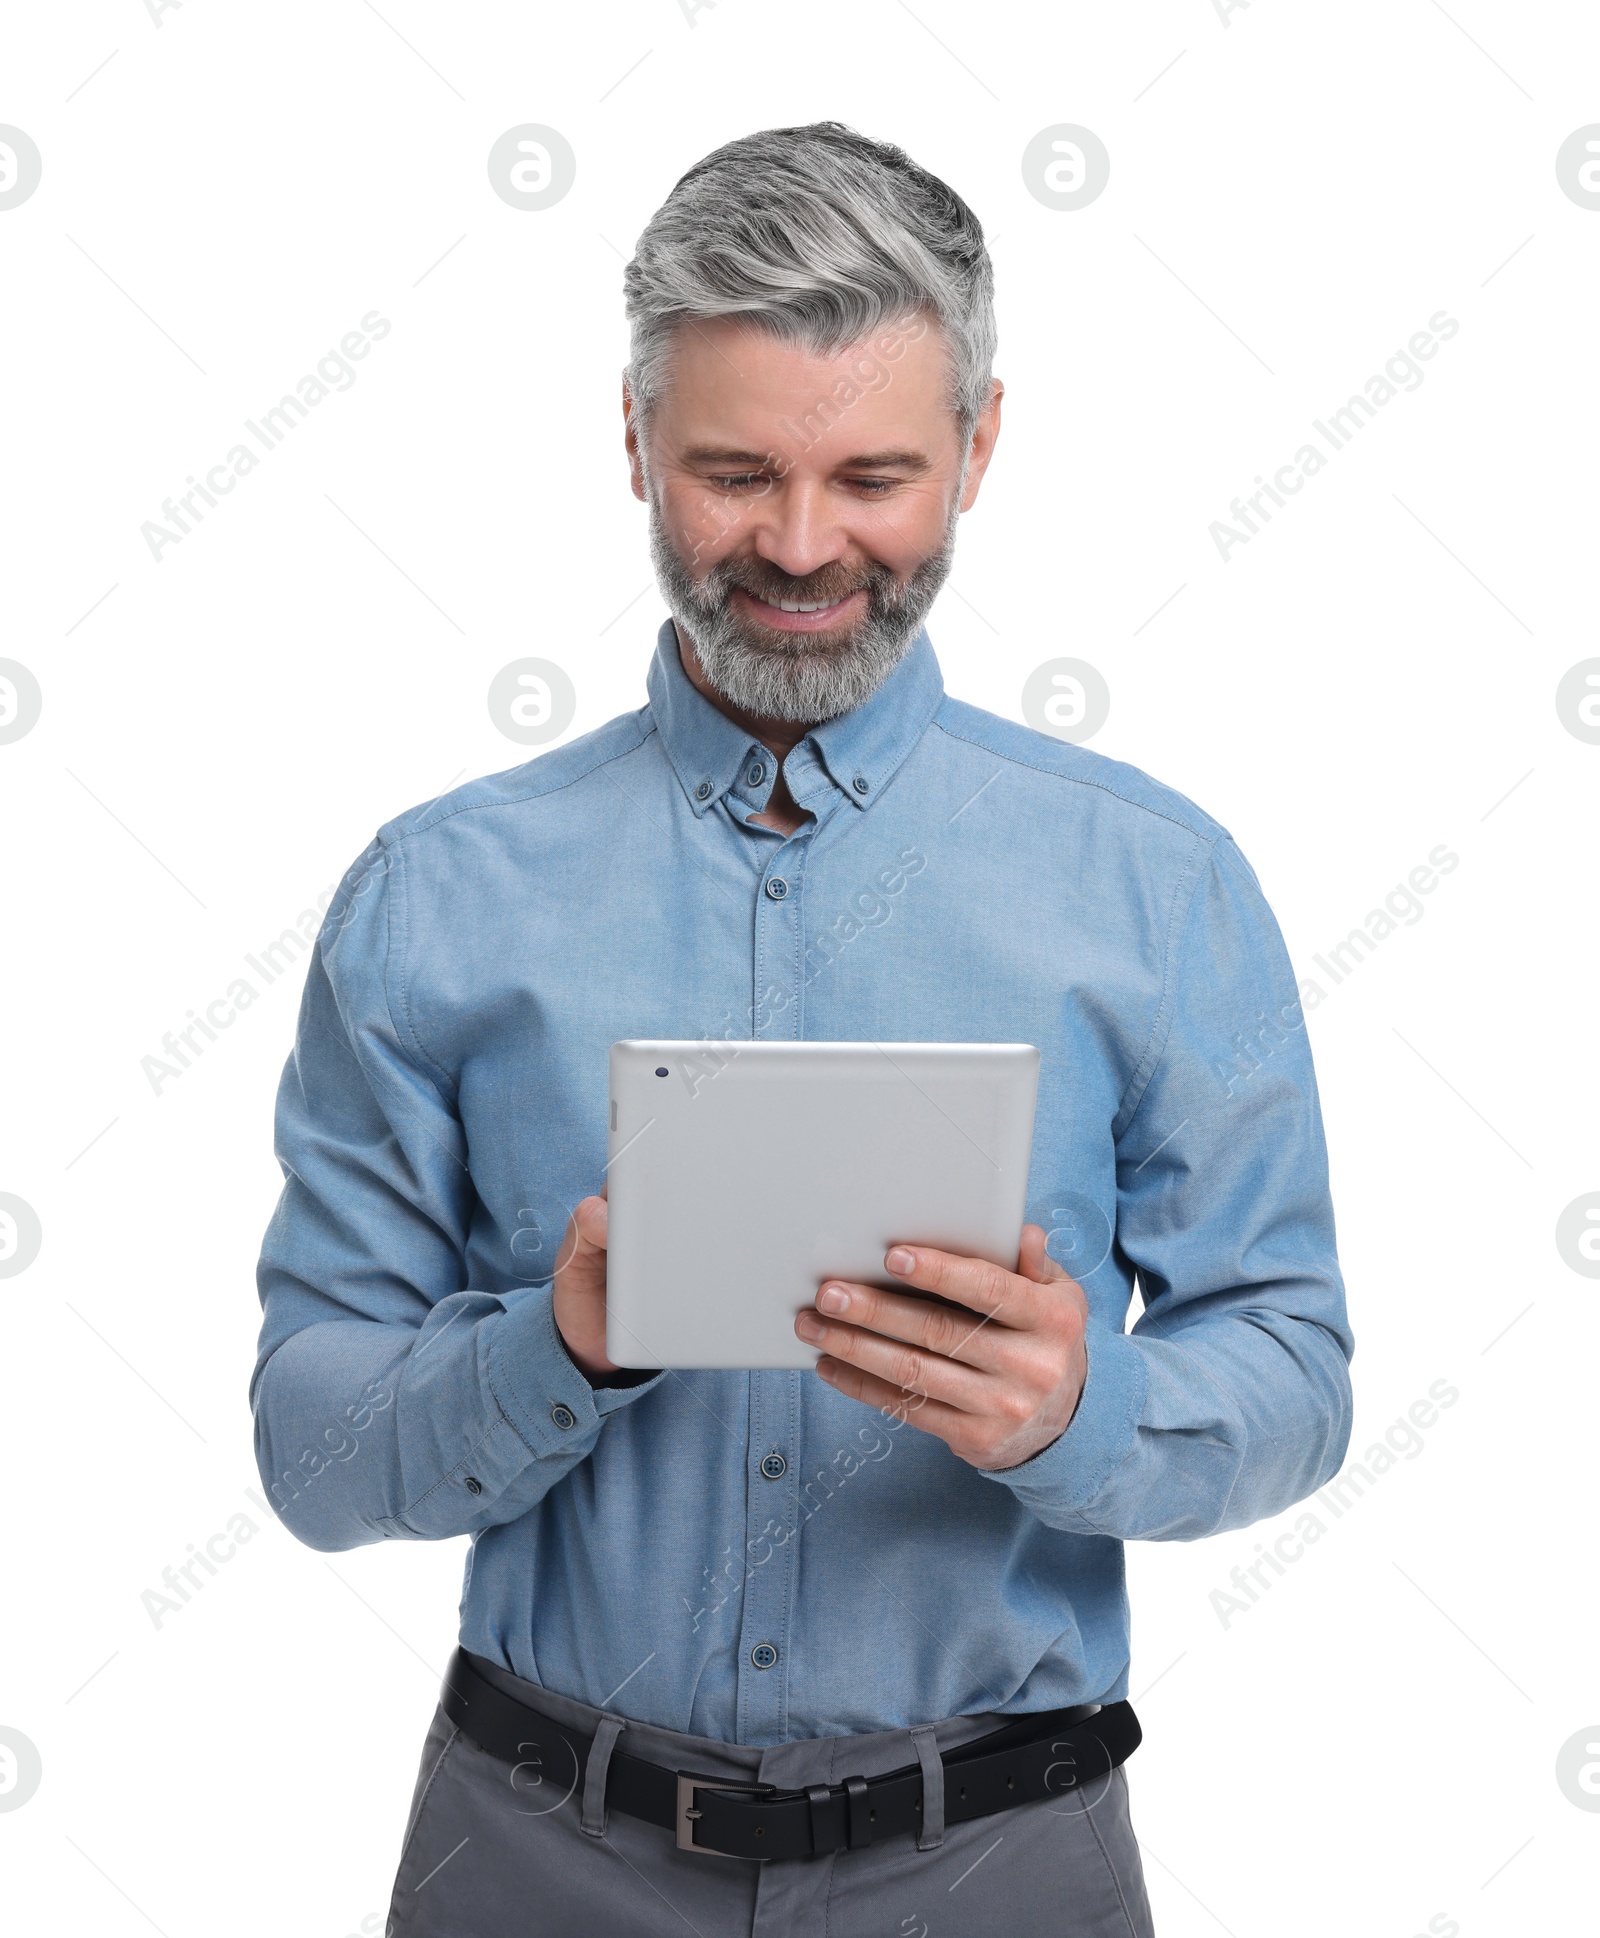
[1231, 1396]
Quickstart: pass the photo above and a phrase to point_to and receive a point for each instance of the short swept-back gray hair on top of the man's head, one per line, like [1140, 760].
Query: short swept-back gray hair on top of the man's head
[820, 237]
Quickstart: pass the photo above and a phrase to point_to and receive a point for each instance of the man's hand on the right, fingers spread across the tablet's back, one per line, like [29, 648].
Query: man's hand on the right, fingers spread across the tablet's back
[997, 1381]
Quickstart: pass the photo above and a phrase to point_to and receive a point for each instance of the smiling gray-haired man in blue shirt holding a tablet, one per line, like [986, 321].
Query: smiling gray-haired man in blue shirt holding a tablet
[877, 1613]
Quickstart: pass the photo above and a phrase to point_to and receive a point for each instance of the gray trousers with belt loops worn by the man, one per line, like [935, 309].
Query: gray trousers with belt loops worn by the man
[495, 1852]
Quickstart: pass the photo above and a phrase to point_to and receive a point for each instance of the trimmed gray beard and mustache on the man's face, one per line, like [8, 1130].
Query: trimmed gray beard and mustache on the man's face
[797, 677]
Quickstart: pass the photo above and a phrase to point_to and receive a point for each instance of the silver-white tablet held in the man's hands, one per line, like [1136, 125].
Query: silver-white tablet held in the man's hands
[747, 1173]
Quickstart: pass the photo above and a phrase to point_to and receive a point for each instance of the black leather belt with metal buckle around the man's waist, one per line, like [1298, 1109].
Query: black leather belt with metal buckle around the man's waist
[1047, 1755]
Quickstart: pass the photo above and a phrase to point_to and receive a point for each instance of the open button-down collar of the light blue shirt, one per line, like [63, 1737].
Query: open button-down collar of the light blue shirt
[857, 753]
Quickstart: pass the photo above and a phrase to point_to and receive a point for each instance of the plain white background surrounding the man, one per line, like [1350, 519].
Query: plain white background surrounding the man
[1295, 191]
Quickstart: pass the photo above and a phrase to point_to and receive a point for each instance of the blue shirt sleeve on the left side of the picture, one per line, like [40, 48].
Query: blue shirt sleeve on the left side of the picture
[390, 1396]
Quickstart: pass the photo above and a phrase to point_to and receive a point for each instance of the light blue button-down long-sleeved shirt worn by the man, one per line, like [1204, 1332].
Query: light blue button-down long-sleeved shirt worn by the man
[751, 1555]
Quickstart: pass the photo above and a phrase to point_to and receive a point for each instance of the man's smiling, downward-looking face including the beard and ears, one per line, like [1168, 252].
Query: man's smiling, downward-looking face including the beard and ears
[803, 507]
